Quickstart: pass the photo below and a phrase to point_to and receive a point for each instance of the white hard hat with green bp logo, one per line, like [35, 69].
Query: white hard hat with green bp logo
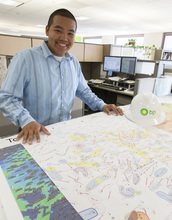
[145, 109]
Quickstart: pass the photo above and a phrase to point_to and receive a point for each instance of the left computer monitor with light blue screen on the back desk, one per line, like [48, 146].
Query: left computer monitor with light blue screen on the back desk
[112, 64]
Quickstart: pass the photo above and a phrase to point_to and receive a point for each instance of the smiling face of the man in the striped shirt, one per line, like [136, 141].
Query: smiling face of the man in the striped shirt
[61, 35]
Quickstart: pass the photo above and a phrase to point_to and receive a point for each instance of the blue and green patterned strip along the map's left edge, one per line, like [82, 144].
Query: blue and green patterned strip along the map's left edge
[36, 195]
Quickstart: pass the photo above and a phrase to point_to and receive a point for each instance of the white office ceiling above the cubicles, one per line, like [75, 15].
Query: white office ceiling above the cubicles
[102, 17]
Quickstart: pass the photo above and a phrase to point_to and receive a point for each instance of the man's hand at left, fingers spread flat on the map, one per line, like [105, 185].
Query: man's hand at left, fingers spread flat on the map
[30, 131]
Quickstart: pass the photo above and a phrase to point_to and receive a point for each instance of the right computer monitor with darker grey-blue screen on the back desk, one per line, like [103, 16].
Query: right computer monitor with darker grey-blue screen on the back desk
[128, 65]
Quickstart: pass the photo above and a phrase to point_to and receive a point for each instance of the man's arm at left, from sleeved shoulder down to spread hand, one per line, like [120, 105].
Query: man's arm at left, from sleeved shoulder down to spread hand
[11, 96]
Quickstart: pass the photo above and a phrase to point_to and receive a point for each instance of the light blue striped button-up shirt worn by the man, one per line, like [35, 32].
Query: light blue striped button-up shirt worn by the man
[38, 87]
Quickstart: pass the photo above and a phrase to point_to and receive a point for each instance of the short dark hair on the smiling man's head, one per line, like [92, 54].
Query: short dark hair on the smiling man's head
[62, 12]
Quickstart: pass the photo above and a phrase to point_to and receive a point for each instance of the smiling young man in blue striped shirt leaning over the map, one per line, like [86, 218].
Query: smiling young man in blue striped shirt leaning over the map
[41, 83]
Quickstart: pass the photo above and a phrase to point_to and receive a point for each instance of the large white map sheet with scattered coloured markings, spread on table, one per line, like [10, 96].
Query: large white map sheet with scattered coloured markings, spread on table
[107, 166]
